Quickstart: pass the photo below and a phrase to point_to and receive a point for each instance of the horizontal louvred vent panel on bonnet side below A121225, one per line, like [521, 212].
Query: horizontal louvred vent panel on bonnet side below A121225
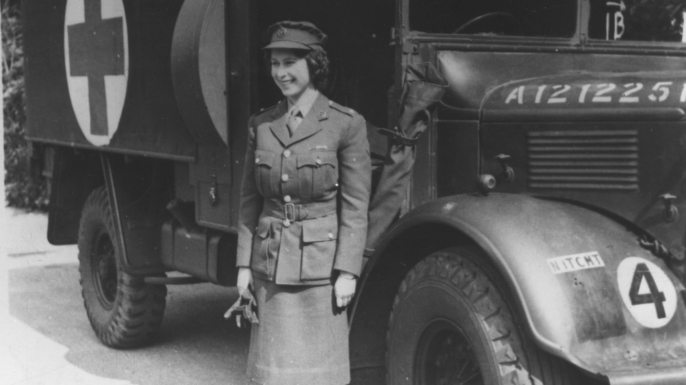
[583, 159]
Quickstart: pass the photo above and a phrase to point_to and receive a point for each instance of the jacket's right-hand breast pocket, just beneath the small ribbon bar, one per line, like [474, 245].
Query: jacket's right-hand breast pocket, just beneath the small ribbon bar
[317, 173]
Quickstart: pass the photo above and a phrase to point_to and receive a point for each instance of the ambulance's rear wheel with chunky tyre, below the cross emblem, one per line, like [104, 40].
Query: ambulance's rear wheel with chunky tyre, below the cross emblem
[123, 310]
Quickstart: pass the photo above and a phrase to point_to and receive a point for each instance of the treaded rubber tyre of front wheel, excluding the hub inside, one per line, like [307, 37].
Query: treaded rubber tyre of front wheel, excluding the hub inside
[519, 361]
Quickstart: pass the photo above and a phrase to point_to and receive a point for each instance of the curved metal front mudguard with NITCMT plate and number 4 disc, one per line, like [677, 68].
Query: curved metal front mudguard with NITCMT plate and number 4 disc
[589, 293]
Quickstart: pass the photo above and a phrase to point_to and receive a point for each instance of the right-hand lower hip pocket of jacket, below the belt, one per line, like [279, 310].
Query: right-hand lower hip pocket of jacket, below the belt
[319, 247]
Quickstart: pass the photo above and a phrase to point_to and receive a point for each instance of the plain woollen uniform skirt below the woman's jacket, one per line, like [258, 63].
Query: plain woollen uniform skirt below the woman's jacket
[300, 339]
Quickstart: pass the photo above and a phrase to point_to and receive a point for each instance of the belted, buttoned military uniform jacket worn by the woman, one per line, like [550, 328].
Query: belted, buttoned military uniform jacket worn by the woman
[304, 198]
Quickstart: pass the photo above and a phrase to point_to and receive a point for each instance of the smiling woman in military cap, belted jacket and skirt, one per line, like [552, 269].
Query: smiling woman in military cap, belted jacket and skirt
[303, 217]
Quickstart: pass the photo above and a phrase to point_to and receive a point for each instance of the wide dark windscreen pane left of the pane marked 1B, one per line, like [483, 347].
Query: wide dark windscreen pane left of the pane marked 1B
[544, 18]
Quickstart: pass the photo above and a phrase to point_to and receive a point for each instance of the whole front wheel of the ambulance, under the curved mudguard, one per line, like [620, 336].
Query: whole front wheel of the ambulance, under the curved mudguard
[452, 323]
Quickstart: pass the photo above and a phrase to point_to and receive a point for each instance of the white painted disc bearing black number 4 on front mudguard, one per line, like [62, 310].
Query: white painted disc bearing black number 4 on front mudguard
[647, 292]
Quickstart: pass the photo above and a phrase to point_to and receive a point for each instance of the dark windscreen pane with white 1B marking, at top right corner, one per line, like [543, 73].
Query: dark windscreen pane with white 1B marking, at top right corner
[638, 20]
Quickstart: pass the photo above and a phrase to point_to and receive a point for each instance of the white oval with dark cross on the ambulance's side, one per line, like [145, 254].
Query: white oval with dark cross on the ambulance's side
[96, 55]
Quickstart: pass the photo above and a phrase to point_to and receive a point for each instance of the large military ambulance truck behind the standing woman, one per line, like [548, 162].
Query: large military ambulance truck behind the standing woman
[528, 223]
